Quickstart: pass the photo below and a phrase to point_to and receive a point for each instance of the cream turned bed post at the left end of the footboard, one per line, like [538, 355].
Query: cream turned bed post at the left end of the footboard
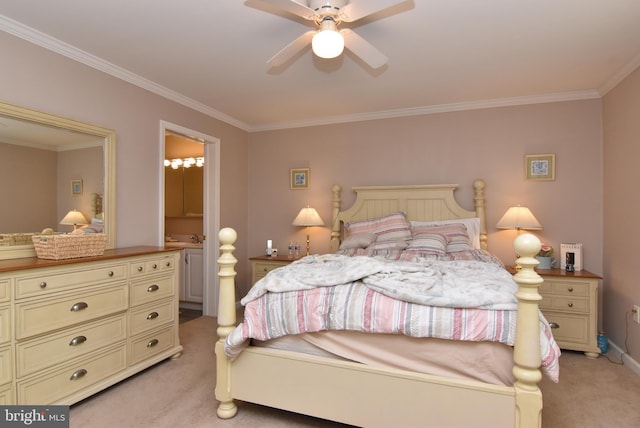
[226, 322]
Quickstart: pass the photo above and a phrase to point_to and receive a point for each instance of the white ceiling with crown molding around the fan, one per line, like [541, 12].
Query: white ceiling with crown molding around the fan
[443, 55]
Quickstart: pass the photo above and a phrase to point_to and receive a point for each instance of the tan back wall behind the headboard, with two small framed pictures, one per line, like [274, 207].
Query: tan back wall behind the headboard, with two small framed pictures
[444, 148]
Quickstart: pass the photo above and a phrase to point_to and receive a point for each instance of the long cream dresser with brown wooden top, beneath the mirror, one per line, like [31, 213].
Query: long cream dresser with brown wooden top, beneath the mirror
[71, 328]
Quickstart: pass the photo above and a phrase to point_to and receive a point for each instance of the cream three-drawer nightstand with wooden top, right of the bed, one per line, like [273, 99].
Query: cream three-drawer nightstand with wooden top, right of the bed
[570, 304]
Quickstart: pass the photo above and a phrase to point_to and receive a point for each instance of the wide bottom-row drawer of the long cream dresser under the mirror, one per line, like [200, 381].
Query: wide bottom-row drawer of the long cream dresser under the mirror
[54, 385]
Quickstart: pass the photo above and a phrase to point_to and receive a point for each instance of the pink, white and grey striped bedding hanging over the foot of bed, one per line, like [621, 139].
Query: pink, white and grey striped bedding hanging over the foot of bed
[354, 306]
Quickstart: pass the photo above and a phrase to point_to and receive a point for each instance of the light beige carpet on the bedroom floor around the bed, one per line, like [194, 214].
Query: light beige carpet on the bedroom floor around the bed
[180, 393]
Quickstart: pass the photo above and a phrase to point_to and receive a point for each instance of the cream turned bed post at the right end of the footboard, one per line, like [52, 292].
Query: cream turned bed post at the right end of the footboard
[526, 354]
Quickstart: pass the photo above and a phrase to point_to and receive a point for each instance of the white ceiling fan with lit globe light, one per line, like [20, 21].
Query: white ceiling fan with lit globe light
[327, 41]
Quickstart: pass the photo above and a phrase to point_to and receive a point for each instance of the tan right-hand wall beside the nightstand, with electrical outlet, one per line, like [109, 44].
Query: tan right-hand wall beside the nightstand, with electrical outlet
[621, 201]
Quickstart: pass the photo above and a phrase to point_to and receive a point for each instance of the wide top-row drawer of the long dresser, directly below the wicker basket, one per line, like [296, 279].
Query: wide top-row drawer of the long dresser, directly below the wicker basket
[58, 279]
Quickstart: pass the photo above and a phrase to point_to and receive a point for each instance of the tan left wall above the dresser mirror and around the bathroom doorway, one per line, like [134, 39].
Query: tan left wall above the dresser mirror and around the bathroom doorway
[46, 81]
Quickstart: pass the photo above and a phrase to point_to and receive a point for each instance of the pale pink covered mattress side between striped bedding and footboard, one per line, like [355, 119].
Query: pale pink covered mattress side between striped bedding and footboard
[488, 362]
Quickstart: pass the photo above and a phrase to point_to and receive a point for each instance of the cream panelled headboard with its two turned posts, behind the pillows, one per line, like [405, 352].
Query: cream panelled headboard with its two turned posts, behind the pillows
[419, 203]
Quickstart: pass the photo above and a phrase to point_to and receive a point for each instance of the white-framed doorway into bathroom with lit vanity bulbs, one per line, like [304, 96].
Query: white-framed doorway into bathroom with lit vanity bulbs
[189, 210]
